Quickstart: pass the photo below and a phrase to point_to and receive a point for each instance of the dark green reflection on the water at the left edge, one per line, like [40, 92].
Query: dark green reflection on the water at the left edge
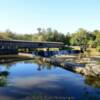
[3, 78]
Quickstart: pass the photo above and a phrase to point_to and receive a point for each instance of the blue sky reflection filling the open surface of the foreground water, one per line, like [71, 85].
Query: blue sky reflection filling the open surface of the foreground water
[24, 78]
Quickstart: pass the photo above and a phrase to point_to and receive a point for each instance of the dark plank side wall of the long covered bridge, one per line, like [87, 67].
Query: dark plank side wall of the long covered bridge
[23, 44]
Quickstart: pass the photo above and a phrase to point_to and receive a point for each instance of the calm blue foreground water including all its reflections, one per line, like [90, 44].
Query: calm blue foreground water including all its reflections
[34, 80]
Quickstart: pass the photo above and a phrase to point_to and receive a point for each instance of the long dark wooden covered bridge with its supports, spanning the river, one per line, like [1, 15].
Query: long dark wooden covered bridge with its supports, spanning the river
[12, 46]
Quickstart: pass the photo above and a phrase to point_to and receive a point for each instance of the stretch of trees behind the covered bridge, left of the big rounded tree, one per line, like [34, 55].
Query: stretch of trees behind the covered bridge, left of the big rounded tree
[42, 35]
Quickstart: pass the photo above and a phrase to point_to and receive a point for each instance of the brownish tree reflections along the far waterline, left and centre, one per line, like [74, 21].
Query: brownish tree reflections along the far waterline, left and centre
[8, 62]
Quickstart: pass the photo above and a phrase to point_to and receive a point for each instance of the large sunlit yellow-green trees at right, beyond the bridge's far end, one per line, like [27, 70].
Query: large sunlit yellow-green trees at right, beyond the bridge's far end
[83, 37]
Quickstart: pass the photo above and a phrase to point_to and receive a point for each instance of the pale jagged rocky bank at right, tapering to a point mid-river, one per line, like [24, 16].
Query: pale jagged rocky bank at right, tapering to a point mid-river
[89, 68]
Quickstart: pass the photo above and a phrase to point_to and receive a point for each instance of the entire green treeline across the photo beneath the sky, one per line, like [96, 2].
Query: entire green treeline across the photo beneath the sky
[78, 38]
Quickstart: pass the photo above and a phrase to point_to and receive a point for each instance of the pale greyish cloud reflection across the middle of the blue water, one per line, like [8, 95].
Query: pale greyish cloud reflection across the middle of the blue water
[40, 82]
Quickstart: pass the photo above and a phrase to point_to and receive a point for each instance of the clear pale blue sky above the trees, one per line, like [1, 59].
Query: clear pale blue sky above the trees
[25, 16]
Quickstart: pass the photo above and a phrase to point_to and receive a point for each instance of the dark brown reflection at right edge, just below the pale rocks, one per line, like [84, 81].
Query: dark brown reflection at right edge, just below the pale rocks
[92, 81]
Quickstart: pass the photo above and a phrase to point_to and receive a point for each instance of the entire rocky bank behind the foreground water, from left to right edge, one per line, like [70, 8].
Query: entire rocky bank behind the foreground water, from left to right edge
[84, 66]
